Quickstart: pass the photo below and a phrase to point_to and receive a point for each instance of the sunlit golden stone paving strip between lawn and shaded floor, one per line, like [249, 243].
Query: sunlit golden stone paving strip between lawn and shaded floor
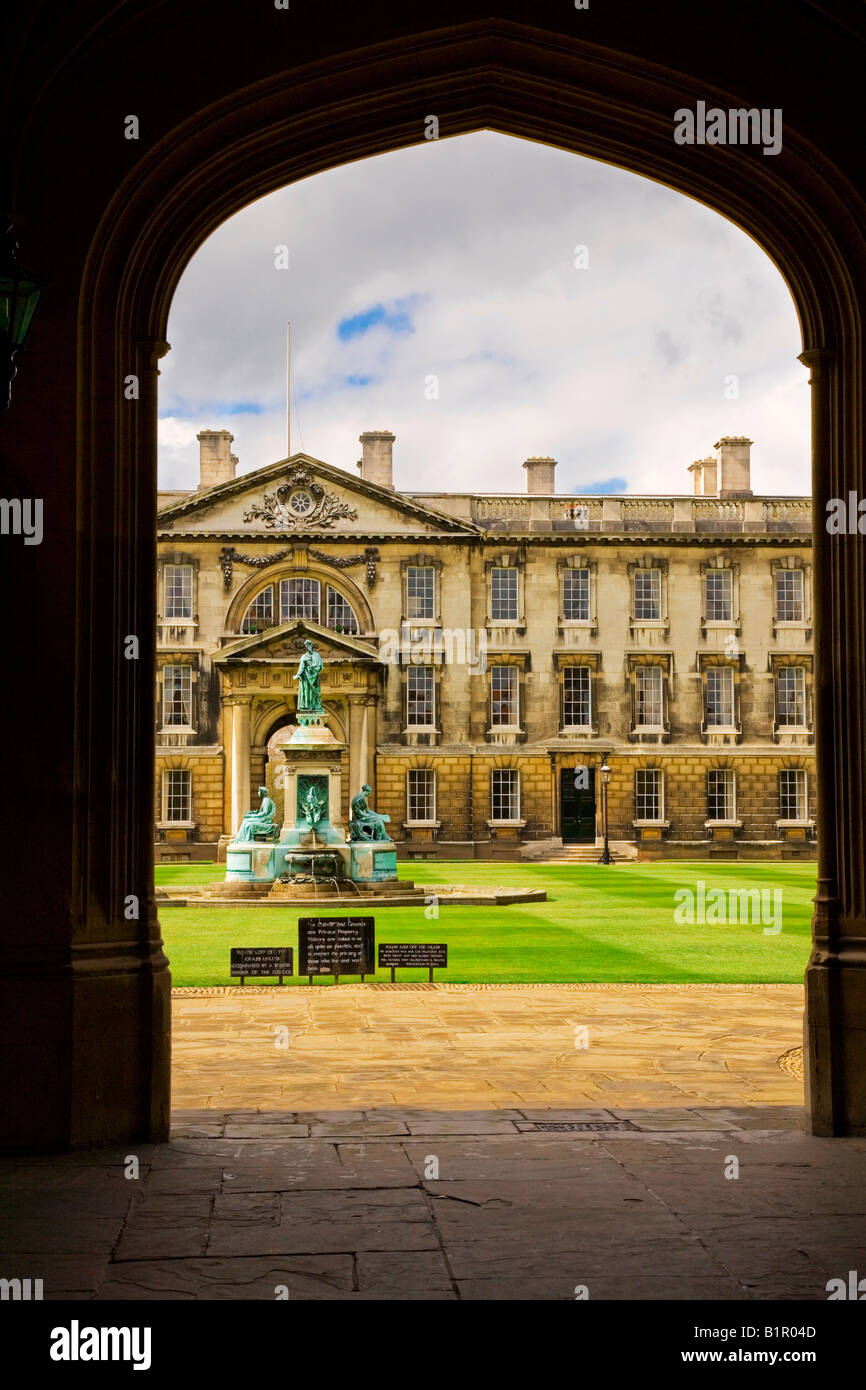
[469, 1047]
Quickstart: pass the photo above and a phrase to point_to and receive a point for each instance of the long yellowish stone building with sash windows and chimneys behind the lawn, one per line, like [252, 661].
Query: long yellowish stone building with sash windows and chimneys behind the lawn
[484, 654]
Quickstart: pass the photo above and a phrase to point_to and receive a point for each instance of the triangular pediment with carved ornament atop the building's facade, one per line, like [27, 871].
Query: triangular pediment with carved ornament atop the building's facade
[304, 497]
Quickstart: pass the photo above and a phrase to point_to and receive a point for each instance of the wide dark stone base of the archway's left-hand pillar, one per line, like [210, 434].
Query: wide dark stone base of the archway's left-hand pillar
[85, 1053]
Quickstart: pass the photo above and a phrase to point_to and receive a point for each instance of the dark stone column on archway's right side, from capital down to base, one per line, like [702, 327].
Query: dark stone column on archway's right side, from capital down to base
[836, 976]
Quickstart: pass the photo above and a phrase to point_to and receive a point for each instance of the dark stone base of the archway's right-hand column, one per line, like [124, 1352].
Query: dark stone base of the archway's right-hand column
[835, 1045]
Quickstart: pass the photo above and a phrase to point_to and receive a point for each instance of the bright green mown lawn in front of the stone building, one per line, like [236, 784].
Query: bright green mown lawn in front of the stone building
[598, 925]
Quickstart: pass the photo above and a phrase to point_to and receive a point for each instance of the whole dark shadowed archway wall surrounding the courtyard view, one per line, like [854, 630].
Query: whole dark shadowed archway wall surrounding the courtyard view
[219, 136]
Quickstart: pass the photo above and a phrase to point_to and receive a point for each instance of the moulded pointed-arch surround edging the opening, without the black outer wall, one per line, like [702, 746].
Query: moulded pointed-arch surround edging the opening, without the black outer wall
[489, 74]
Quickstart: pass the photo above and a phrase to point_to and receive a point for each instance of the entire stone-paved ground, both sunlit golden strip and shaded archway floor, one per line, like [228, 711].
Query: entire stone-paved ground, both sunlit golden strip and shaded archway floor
[422, 1171]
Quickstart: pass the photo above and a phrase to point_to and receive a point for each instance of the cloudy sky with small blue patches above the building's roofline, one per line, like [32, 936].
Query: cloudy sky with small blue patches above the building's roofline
[487, 300]
